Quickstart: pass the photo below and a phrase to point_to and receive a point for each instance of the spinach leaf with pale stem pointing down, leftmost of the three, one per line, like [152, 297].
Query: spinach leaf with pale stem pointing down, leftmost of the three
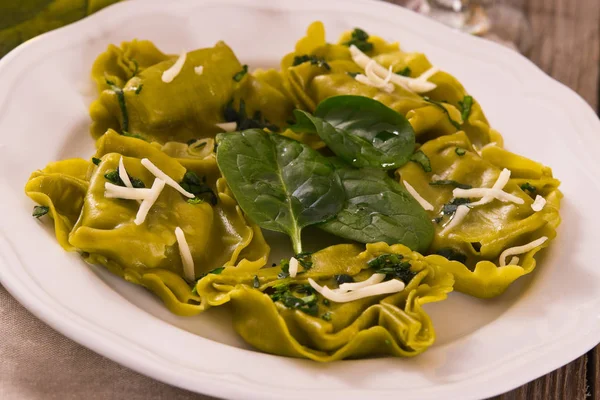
[281, 184]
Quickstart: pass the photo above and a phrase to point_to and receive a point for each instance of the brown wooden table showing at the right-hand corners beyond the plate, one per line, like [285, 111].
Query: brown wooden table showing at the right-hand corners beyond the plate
[566, 45]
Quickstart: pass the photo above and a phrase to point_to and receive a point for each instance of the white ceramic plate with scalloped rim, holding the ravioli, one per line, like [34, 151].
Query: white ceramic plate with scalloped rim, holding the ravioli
[484, 347]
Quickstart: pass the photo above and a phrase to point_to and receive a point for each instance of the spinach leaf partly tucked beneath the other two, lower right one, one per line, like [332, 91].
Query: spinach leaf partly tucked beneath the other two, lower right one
[379, 209]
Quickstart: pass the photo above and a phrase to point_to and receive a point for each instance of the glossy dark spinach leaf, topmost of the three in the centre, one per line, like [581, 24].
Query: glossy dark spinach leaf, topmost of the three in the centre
[361, 131]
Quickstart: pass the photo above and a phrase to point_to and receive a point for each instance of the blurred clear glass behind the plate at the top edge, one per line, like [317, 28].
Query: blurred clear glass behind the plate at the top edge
[496, 20]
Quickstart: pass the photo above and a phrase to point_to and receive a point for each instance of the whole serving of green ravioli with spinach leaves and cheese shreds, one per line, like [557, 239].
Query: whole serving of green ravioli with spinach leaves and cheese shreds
[197, 153]
